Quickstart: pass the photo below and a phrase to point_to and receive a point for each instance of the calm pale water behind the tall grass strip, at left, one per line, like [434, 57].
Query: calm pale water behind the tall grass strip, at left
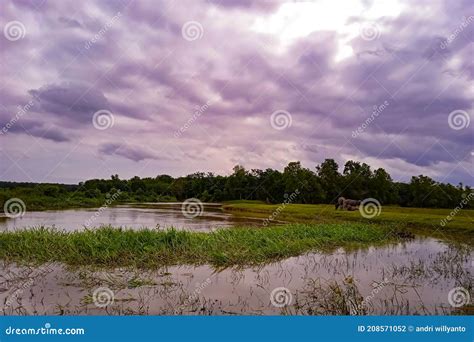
[134, 216]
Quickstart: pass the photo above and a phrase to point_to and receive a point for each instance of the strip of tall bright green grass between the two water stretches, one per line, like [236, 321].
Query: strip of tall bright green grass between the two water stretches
[112, 247]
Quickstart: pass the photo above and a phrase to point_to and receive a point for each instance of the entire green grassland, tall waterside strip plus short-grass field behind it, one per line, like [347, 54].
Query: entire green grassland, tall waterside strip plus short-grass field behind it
[309, 228]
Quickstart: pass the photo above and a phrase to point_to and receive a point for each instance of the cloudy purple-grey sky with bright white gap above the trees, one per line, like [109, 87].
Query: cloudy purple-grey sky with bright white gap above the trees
[94, 88]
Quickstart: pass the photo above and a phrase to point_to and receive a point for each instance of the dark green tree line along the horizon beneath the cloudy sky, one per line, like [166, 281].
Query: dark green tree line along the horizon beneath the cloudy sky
[323, 184]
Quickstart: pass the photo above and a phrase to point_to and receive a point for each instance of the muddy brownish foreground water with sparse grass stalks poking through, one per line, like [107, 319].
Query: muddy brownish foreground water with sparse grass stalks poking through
[414, 277]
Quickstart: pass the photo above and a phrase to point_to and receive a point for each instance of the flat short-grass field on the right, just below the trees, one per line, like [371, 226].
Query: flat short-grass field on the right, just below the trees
[422, 220]
